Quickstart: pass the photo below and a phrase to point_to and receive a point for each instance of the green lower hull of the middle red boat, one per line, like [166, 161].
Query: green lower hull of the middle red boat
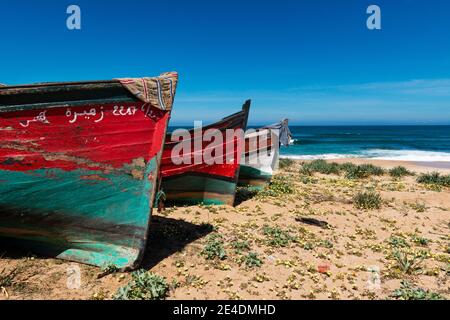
[192, 189]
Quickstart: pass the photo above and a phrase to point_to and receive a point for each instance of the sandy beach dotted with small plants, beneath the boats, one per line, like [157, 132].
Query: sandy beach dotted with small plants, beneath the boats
[303, 238]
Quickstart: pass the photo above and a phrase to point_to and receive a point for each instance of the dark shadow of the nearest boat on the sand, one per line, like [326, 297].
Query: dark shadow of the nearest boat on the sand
[166, 236]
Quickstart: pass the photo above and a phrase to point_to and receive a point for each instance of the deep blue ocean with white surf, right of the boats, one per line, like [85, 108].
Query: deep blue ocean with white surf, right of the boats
[405, 143]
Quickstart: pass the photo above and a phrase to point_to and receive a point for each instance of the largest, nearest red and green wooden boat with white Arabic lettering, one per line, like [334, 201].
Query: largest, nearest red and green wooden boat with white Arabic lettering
[79, 165]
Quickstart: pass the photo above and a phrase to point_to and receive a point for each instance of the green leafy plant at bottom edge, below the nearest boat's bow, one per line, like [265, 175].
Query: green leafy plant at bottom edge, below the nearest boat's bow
[143, 286]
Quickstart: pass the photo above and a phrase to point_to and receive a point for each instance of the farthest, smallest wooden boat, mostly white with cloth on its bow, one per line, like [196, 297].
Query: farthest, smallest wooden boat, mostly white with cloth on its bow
[261, 157]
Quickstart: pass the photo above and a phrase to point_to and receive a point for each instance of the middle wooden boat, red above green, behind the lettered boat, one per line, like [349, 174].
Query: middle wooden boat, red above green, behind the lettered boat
[201, 182]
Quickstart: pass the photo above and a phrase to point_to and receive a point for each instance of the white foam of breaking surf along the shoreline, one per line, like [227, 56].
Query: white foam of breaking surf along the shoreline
[381, 154]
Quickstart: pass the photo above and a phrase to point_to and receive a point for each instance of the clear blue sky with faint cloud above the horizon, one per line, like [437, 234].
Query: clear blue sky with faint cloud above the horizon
[314, 62]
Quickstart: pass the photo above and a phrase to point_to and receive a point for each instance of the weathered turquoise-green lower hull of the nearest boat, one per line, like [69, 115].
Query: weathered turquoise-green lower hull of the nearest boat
[82, 215]
